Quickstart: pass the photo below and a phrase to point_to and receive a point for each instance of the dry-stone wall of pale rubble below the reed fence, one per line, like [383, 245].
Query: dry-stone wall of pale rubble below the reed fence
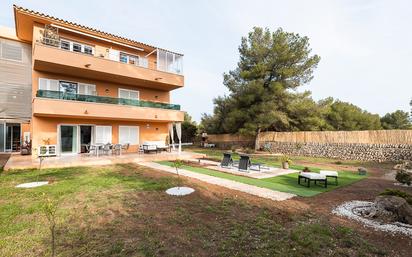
[362, 152]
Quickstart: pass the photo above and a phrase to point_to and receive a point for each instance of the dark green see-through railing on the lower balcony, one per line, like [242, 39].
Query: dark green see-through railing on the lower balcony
[103, 99]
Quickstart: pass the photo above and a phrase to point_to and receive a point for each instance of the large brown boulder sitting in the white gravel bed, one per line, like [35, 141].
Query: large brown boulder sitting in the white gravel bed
[399, 207]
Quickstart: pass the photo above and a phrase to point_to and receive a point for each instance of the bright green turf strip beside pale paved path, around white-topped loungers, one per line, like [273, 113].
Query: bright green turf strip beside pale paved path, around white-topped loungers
[284, 183]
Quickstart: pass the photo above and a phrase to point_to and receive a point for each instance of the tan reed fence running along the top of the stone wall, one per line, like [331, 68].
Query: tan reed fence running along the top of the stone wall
[394, 137]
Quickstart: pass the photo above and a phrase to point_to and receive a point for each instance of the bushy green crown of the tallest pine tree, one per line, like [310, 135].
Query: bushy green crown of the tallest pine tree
[271, 65]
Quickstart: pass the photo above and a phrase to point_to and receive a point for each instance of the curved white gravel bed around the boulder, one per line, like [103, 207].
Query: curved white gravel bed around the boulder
[352, 208]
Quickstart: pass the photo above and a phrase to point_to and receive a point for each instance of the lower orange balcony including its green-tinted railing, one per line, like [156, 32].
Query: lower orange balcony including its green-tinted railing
[58, 104]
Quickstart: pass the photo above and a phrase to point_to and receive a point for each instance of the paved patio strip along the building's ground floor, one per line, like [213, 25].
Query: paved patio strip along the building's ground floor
[17, 161]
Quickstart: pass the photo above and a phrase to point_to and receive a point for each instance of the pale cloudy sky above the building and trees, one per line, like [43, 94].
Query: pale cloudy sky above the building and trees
[365, 45]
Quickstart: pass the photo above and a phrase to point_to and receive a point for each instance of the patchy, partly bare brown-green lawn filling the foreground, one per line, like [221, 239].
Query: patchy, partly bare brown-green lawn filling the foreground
[122, 210]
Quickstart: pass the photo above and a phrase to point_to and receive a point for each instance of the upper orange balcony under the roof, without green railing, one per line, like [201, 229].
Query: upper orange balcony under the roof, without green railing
[80, 64]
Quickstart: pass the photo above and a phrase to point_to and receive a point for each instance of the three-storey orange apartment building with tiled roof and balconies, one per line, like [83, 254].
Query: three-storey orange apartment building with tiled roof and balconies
[79, 86]
